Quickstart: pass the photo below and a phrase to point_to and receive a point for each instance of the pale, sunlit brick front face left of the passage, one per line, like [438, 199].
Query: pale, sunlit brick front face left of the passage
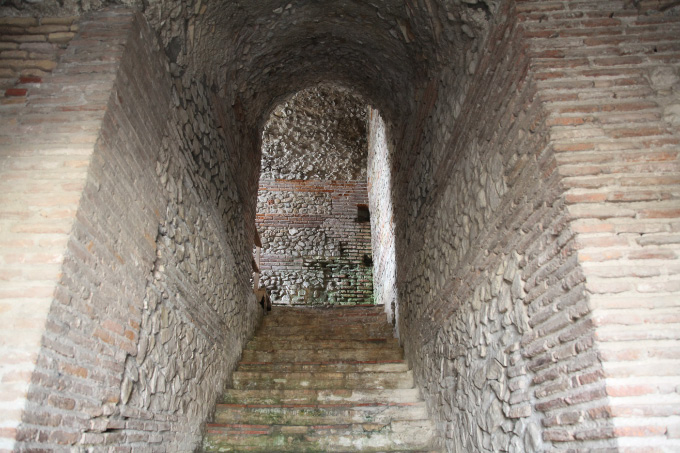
[47, 136]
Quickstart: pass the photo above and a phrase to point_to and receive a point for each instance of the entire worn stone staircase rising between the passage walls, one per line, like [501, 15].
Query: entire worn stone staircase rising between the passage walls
[321, 380]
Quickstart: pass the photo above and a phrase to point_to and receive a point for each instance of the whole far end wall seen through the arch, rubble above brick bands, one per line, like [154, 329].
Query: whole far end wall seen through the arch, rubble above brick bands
[315, 250]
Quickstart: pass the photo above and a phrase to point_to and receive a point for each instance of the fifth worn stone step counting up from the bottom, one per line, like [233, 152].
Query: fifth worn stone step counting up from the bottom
[318, 367]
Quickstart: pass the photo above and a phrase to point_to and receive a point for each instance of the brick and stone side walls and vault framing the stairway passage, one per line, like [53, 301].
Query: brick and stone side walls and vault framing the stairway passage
[530, 162]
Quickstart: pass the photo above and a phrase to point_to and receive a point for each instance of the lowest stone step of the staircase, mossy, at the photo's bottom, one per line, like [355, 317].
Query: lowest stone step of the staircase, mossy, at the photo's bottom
[408, 435]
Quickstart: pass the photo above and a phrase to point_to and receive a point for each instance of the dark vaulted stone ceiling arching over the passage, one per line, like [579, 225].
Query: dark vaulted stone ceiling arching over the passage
[255, 53]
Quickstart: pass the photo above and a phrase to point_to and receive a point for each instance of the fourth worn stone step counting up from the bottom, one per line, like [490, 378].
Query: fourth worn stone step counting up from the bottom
[277, 380]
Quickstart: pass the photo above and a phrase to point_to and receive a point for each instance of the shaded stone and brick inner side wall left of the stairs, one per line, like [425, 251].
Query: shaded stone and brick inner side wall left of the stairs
[152, 304]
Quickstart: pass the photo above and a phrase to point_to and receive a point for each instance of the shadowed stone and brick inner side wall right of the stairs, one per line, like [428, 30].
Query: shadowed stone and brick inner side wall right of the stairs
[481, 209]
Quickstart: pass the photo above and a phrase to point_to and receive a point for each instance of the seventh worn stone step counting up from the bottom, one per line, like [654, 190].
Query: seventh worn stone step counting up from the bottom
[268, 343]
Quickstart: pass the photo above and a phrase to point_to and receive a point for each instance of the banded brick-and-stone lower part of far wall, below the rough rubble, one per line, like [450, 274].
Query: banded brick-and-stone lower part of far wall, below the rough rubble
[314, 251]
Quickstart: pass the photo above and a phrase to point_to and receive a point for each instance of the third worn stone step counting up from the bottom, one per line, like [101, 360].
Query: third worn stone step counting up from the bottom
[320, 396]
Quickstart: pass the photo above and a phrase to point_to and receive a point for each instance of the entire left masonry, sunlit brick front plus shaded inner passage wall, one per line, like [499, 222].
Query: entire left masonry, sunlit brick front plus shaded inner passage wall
[119, 278]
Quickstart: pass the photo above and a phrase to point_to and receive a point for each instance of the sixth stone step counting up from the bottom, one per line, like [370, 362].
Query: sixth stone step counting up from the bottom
[322, 355]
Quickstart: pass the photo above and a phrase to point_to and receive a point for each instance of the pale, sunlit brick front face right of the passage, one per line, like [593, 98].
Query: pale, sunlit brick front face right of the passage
[608, 75]
